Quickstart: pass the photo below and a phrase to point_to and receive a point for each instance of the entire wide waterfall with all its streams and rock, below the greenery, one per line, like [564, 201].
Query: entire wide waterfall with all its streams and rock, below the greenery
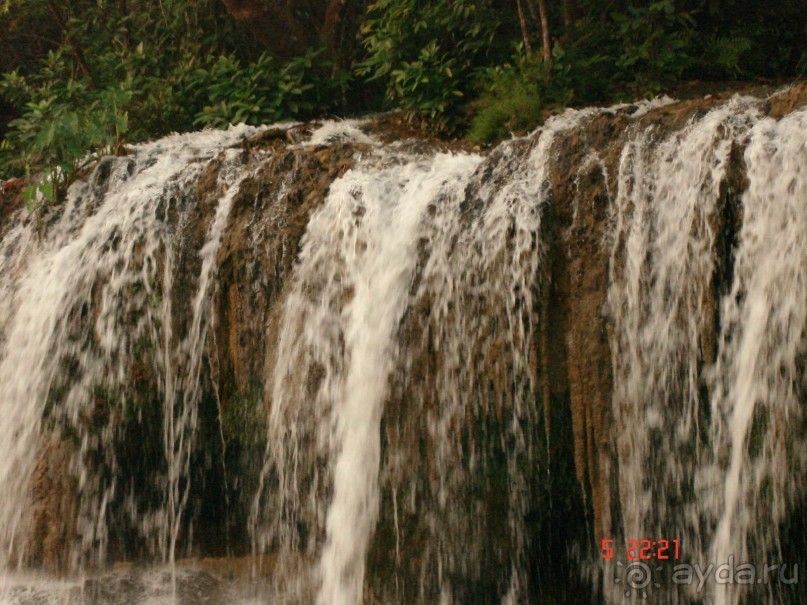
[395, 373]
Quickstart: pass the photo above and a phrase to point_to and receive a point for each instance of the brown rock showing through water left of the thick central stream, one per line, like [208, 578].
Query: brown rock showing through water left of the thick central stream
[119, 438]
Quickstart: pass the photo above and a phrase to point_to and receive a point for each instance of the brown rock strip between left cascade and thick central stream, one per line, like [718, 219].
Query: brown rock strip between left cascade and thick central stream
[256, 258]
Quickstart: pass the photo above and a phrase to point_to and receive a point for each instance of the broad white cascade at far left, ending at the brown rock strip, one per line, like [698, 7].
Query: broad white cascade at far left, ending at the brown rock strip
[104, 251]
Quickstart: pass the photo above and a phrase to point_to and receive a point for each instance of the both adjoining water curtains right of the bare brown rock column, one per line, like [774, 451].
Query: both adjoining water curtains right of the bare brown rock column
[668, 362]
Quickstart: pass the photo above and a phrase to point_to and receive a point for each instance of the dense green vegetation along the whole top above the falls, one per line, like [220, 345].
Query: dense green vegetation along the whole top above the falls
[94, 75]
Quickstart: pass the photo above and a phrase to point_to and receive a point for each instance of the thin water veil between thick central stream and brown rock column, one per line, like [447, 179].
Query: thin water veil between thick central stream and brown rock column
[481, 286]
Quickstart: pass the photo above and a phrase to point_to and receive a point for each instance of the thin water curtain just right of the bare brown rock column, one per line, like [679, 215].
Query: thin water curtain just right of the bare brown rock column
[666, 218]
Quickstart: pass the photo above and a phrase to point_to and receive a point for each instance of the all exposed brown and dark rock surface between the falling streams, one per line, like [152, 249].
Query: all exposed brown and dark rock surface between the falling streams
[572, 498]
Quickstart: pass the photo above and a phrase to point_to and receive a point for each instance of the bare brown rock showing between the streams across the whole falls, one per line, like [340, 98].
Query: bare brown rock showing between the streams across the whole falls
[572, 503]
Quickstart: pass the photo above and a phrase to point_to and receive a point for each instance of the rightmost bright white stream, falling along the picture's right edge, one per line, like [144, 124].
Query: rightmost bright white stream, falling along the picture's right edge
[758, 403]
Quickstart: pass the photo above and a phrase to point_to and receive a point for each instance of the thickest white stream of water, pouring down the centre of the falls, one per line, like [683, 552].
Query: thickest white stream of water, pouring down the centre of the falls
[351, 286]
